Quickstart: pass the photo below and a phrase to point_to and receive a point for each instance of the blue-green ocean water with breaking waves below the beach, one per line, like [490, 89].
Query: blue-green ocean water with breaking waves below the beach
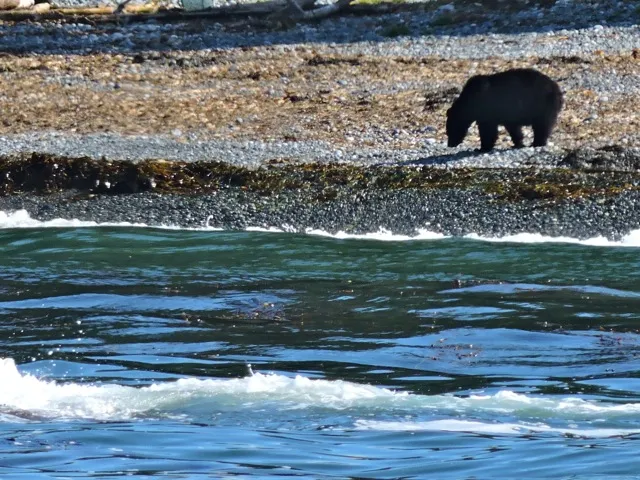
[129, 351]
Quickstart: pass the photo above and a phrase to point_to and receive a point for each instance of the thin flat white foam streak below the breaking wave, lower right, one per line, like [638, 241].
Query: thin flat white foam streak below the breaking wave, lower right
[469, 426]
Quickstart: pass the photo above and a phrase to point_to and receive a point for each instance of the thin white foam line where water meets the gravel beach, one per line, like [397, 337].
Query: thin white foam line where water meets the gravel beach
[22, 219]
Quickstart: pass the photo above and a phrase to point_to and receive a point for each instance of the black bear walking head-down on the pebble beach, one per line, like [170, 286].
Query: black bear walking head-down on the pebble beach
[513, 98]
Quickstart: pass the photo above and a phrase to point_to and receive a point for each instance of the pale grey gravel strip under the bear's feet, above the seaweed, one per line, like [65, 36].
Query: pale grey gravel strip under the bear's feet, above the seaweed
[251, 153]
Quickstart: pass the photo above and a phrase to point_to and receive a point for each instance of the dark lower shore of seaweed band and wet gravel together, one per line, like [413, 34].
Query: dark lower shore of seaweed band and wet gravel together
[583, 198]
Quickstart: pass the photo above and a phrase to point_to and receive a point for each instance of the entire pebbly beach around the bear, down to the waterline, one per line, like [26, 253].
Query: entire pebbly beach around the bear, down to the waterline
[336, 125]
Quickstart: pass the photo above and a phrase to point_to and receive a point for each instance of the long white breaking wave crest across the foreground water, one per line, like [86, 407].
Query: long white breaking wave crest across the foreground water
[27, 396]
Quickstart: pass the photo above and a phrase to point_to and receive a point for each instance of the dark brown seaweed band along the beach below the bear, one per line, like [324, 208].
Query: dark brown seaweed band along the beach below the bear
[46, 174]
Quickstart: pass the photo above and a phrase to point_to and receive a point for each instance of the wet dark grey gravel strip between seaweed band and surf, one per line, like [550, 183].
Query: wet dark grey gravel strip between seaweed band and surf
[405, 212]
